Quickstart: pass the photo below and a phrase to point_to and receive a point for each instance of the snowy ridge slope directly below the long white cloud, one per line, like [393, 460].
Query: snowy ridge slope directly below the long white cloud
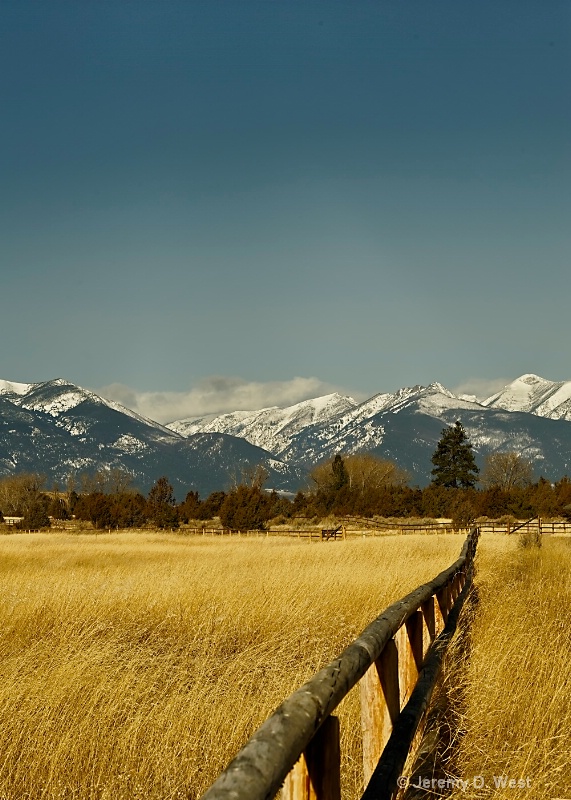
[270, 428]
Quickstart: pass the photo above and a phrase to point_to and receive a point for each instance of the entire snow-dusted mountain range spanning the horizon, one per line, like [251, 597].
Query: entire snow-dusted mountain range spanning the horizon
[58, 429]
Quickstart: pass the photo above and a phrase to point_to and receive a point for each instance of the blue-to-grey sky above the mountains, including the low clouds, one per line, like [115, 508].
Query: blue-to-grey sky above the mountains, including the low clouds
[212, 203]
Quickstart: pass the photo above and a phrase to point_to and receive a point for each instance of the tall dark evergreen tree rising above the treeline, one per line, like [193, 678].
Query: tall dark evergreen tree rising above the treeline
[454, 464]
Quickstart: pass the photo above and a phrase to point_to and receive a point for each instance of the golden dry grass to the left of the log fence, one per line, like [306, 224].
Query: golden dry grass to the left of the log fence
[137, 665]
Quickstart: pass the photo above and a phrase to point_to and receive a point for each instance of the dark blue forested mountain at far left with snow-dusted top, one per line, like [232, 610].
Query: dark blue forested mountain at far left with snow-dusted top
[59, 429]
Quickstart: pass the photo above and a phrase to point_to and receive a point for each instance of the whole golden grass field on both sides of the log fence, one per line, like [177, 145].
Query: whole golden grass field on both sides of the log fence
[136, 665]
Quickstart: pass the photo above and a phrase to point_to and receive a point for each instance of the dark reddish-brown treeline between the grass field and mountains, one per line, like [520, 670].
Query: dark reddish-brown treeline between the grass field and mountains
[246, 507]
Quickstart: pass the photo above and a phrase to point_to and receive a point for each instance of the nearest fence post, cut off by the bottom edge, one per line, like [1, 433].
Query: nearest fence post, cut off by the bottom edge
[317, 773]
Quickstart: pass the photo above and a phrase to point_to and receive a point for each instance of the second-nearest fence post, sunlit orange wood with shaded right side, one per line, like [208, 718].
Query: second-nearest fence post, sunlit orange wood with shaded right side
[380, 705]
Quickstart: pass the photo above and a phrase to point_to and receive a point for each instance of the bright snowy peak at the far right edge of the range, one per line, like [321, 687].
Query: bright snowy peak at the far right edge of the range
[535, 395]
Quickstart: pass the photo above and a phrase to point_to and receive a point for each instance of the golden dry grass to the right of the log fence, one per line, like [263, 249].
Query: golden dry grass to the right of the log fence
[511, 694]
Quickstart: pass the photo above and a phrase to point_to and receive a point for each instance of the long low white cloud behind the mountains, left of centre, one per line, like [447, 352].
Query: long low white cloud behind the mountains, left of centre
[216, 395]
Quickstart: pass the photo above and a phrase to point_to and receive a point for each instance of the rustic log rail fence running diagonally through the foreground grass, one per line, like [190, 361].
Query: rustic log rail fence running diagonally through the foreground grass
[396, 661]
